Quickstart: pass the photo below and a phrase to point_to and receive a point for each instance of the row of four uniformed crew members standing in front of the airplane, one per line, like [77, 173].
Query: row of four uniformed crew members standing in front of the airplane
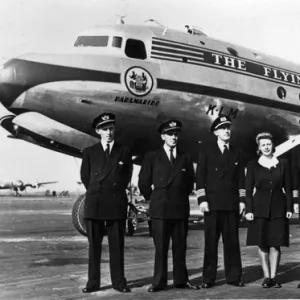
[167, 179]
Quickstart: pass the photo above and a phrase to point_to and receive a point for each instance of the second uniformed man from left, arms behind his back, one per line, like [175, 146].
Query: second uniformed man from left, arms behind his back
[171, 174]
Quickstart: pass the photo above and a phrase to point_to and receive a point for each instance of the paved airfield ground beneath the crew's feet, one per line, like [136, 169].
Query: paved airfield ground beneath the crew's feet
[43, 257]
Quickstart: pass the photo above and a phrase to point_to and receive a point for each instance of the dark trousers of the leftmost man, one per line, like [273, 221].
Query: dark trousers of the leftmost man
[115, 234]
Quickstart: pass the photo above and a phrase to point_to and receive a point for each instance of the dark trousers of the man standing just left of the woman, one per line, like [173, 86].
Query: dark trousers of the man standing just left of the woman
[227, 224]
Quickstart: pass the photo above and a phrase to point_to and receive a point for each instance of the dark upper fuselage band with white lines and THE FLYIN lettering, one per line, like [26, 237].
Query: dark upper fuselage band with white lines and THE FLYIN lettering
[171, 51]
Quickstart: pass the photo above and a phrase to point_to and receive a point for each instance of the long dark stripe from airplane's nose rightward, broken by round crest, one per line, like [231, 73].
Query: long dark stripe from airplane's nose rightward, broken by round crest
[40, 73]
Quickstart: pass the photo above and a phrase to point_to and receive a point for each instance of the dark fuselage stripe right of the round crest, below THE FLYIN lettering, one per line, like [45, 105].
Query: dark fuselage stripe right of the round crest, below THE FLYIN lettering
[222, 93]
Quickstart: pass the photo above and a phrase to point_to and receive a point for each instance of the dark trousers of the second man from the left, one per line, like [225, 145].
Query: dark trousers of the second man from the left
[162, 231]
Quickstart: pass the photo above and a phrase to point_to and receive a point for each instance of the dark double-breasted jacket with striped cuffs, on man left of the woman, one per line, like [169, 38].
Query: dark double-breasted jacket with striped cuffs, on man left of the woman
[220, 184]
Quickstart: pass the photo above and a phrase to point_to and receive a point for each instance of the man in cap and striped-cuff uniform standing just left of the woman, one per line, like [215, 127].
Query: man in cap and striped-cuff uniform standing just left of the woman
[220, 184]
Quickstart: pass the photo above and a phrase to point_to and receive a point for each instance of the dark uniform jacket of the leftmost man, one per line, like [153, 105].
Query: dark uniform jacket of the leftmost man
[106, 181]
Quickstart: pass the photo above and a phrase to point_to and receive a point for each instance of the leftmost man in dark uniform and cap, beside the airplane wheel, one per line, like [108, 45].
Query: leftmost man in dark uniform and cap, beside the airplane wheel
[105, 172]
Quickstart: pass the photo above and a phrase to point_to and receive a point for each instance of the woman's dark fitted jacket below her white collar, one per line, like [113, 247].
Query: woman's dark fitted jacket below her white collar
[269, 199]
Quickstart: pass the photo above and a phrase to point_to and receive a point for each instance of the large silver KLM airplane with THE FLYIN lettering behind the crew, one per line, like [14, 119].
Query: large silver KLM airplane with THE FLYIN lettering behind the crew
[146, 74]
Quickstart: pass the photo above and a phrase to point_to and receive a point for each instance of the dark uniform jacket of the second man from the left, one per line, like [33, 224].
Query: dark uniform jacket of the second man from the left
[169, 198]
